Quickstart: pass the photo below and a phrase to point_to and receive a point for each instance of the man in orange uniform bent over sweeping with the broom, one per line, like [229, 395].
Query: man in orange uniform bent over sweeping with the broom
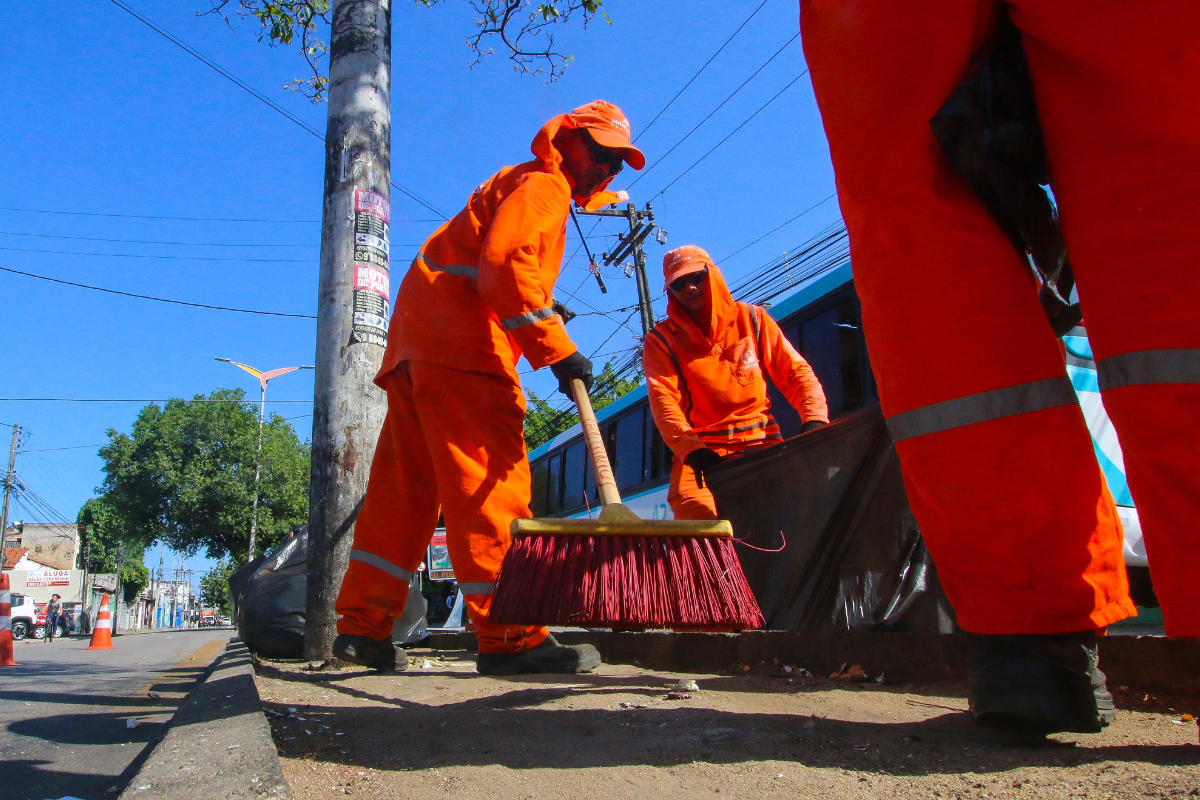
[477, 298]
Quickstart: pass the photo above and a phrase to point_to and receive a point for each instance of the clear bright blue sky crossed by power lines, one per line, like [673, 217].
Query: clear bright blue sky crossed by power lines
[105, 117]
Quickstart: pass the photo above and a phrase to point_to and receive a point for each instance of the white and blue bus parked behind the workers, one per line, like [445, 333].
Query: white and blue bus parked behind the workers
[823, 321]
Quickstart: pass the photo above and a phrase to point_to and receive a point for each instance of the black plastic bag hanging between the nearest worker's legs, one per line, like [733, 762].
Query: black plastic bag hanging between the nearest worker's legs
[991, 133]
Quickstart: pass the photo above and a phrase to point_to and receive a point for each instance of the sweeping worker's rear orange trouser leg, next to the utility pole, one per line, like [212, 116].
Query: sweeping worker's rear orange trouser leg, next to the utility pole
[397, 522]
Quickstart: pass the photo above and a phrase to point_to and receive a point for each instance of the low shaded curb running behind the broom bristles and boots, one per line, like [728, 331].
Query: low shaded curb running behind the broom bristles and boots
[1145, 663]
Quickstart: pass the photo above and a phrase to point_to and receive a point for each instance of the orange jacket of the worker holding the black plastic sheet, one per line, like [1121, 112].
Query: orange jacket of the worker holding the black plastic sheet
[709, 390]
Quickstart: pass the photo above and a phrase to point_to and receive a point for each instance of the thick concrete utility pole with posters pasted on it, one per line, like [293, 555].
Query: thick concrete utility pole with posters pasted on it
[353, 308]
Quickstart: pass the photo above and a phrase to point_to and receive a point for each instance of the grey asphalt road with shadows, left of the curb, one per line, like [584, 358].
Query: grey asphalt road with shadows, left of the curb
[64, 711]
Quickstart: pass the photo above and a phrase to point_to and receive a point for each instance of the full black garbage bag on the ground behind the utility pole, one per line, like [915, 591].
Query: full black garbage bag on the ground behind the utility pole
[268, 599]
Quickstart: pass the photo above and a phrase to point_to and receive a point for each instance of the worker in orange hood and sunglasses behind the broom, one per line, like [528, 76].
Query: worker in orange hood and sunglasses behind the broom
[705, 375]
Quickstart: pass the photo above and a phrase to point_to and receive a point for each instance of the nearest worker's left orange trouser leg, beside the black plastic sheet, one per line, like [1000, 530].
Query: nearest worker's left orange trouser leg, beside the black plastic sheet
[997, 456]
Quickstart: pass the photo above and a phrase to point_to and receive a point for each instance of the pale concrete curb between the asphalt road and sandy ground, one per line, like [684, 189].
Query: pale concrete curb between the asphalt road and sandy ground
[219, 745]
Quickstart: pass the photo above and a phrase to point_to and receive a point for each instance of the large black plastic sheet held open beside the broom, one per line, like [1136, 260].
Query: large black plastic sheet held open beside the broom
[853, 557]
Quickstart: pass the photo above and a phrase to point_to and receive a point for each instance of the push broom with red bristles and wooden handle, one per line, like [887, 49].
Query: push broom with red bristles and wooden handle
[620, 570]
